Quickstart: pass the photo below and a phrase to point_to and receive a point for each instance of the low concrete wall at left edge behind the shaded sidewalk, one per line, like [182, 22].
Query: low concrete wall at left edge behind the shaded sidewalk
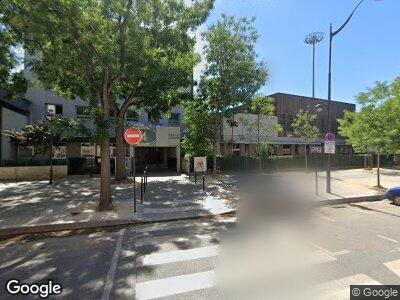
[32, 172]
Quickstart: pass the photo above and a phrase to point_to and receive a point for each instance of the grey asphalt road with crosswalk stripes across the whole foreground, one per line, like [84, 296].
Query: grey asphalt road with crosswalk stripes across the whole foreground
[348, 244]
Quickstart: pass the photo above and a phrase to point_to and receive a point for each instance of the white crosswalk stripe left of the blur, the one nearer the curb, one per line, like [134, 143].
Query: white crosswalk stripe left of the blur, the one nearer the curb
[179, 255]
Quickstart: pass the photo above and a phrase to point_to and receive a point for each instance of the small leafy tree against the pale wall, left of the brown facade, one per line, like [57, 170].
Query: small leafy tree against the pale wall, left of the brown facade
[264, 108]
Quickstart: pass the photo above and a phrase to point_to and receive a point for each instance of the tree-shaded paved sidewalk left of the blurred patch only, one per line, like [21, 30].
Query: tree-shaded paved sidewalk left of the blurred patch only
[27, 207]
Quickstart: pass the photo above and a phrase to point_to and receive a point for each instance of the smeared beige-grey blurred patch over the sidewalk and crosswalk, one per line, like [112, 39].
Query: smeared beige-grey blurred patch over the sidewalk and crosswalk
[269, 256]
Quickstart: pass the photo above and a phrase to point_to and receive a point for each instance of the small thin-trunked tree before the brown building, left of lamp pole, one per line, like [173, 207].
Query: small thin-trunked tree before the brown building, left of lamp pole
[303, 127]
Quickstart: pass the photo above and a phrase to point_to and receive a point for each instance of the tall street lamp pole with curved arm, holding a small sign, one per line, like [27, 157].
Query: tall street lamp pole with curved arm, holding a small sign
[332, 34]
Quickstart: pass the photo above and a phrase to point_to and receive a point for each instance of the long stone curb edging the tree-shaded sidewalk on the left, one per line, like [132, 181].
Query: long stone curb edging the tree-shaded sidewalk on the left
[4, 232]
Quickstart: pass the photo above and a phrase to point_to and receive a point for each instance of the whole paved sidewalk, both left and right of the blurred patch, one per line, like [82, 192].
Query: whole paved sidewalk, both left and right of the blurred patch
[27, 207]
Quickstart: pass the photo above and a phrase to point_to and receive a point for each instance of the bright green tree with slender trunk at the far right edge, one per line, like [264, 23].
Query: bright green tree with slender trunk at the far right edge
[376, 127]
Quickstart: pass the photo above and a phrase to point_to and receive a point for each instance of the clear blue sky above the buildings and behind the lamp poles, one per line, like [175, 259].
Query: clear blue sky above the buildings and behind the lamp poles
[367, 50]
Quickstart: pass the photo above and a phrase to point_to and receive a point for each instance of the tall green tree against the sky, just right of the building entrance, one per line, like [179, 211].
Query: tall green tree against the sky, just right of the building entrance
[232, 74]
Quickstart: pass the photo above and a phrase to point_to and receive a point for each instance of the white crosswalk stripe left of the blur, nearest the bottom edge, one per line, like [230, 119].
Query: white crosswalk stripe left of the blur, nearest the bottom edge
[174, 285]
